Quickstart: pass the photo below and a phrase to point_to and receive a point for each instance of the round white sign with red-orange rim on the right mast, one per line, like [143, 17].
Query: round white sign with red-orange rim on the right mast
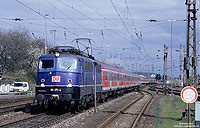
[189, 94]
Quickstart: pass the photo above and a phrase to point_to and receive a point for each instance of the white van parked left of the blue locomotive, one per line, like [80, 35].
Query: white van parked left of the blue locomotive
[20, 87]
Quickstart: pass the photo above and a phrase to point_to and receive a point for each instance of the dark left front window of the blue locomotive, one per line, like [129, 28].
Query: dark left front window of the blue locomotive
[46, 64]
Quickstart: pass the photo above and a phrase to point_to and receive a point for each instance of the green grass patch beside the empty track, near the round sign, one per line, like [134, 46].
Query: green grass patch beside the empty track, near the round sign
[169, 111]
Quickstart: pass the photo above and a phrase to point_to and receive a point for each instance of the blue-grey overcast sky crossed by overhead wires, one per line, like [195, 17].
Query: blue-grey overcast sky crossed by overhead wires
[112, 24]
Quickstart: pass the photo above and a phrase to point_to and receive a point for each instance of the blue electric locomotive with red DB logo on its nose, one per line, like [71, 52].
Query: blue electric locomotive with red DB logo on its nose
[66, 77]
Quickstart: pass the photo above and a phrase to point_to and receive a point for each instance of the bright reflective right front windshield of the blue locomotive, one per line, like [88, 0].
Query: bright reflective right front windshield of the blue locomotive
[67, 63]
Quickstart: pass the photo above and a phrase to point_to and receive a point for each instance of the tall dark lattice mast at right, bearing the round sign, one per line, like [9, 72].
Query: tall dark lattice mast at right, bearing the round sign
[191, 43]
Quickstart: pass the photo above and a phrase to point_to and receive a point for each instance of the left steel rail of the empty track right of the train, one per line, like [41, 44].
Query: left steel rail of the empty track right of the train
[108, 121]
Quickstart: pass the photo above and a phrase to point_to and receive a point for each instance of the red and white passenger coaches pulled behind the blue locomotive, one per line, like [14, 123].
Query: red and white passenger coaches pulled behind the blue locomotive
[114, 79]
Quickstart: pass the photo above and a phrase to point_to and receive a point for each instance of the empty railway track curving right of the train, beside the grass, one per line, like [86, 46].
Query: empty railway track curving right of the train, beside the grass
[130, 115]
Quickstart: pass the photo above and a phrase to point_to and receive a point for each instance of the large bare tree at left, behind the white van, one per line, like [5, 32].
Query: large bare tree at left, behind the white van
[19, 51]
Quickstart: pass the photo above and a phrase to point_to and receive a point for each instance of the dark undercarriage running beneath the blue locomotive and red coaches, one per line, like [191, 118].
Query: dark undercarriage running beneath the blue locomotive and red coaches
[65, 102]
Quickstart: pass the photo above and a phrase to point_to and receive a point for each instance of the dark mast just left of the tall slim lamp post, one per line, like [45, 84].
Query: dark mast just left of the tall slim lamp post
[165, 66]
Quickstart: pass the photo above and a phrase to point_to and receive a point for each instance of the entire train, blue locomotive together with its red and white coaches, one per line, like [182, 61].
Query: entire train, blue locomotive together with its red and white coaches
[66, 77]
